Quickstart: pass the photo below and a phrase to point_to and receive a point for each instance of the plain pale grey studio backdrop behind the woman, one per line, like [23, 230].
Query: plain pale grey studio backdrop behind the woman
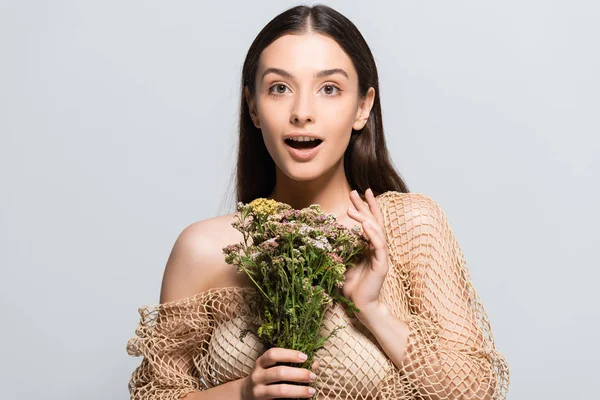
[118, 129]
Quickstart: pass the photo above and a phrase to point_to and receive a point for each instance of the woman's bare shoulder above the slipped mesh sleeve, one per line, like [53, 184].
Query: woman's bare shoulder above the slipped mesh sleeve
[197, 262]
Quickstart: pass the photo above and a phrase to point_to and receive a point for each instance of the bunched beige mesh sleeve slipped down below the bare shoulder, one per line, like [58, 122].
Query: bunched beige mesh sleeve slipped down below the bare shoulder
[173, 338]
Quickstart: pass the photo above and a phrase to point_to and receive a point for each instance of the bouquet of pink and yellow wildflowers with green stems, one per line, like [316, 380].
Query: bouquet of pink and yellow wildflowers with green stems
[297, 260]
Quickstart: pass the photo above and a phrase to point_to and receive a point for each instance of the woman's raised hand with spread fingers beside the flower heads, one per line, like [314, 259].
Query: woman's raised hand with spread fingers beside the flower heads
[364, 280]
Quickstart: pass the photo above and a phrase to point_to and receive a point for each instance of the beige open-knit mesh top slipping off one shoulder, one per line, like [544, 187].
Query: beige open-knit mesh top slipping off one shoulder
[193, 344]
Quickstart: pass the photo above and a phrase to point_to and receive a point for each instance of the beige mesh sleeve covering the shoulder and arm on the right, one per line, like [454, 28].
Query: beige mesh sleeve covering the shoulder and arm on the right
[450, 352]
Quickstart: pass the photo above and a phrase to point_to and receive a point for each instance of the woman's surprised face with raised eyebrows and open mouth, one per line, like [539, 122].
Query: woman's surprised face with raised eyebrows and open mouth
[291, 98]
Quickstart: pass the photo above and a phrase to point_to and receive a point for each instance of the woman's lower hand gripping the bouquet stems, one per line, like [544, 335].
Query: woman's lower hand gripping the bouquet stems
[259, 384]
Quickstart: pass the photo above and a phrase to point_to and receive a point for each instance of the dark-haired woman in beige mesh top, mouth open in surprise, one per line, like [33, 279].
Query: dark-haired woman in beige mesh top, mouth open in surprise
[311, 132]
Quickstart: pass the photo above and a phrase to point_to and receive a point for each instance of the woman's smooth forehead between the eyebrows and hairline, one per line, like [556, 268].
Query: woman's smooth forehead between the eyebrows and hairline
[304, 54]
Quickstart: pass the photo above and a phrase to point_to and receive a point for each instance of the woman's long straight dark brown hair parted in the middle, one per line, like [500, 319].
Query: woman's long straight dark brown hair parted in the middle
[366, 161]
